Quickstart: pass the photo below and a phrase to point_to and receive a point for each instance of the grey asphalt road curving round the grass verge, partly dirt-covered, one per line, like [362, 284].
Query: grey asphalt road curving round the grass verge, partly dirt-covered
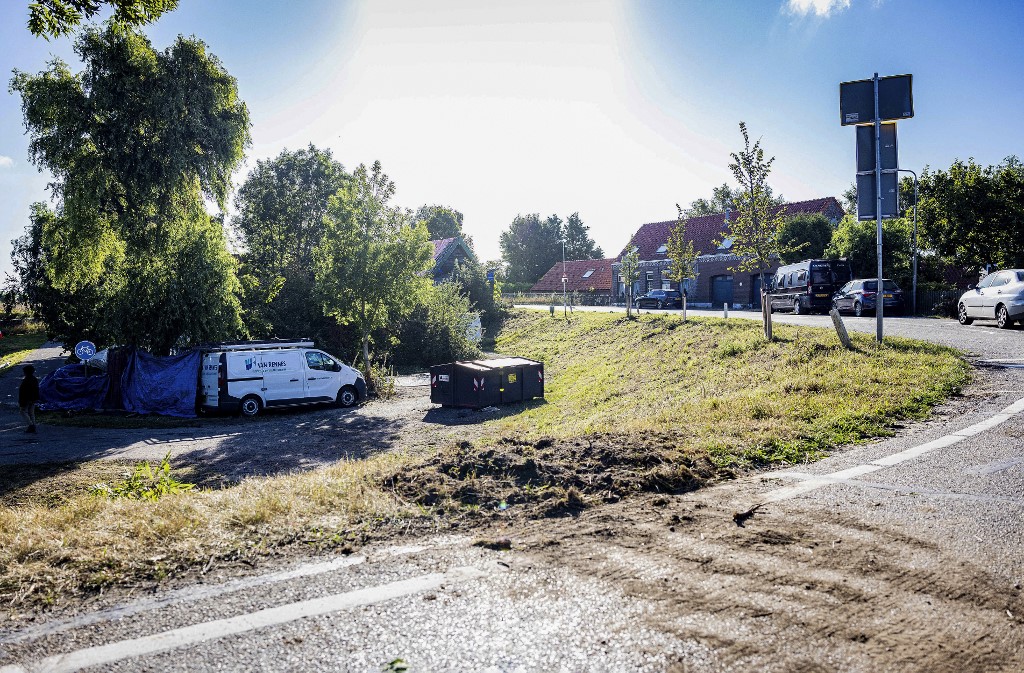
[905, 555]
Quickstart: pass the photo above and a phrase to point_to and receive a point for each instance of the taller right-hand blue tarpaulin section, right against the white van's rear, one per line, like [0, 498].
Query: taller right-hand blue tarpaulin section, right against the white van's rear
[161, 386]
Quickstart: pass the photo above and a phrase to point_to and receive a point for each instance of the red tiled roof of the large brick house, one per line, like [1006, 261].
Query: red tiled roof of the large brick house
[651, 239]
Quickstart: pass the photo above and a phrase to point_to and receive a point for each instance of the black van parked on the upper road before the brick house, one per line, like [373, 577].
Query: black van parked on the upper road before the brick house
[808, 286]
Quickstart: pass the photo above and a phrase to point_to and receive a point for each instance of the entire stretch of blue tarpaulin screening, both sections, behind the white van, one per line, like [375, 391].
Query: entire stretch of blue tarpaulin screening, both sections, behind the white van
[149, 386]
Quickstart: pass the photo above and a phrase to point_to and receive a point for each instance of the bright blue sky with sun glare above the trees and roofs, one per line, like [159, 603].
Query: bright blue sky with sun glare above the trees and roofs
[616, 110]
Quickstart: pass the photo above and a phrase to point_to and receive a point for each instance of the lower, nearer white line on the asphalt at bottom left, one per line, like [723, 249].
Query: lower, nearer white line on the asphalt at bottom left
[191, 636]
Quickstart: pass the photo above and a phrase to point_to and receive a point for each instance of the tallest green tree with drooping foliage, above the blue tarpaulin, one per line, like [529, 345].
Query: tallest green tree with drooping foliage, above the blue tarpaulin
[138, 143]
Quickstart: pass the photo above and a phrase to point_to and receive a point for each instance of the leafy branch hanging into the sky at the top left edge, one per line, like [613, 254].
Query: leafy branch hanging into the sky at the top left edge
[56, 18]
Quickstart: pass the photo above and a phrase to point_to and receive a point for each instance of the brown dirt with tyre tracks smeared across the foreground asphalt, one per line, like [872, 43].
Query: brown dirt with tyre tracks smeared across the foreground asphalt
[792, 594]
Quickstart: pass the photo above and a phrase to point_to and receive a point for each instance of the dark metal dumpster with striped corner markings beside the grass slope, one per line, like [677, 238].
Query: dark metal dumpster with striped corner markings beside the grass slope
[479, 384]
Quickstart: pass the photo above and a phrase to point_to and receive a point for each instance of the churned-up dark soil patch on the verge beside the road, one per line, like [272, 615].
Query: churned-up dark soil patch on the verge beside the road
[552, 477]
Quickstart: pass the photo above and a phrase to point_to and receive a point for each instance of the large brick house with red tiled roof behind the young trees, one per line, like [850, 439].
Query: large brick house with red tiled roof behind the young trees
[716, 283]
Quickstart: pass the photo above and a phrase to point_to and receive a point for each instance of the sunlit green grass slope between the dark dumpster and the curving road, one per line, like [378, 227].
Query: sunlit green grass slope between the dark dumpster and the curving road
[719, 387]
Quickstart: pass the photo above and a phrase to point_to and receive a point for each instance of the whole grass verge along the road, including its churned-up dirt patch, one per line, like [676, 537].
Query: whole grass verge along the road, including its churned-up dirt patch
[632, 406]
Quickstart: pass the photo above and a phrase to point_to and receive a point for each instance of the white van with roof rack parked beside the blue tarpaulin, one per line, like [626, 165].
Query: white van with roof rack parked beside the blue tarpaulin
[250, 376]
